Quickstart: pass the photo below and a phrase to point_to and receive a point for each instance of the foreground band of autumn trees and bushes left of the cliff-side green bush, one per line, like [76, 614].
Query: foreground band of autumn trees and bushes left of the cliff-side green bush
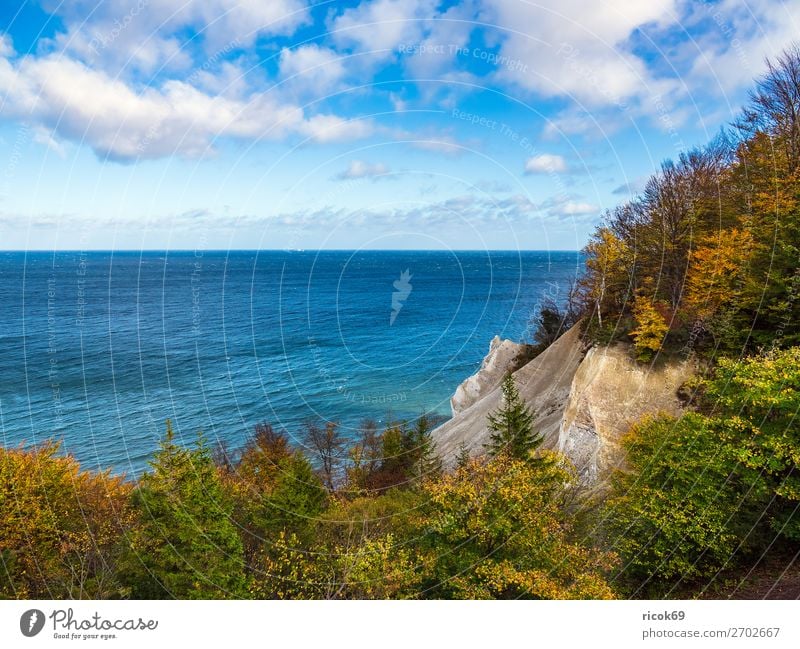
[265, 523]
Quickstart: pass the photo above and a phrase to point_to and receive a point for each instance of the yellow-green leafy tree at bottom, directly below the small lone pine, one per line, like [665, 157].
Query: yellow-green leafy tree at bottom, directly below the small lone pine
[501, 529]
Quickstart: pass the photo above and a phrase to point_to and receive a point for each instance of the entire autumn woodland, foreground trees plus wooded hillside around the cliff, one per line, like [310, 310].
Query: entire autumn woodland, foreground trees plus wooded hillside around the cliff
[705, 262]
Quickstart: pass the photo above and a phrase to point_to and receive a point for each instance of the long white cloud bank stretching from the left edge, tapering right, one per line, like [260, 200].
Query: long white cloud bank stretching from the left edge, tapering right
[116, 120]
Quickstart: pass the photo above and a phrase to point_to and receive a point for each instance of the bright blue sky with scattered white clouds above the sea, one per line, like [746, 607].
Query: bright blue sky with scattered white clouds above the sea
[383, 124]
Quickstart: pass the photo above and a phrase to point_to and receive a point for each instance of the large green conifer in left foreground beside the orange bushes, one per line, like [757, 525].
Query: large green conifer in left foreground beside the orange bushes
[184, 544]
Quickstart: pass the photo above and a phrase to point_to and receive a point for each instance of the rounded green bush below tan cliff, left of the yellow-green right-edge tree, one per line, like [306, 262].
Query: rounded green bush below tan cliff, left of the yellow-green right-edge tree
[684, 506]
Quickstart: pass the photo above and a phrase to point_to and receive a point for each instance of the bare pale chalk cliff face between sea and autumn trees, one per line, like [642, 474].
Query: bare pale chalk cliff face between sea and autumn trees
[584, 401]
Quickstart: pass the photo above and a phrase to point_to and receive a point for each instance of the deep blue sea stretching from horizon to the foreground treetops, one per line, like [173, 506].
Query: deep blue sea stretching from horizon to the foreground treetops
[98, 349]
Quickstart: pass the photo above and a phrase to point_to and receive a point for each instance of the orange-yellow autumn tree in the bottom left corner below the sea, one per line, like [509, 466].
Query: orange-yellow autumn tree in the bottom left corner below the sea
[60, 527]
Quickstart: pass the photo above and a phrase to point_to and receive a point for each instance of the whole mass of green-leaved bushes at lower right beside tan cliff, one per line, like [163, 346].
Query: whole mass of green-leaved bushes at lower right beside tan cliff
[702, 490]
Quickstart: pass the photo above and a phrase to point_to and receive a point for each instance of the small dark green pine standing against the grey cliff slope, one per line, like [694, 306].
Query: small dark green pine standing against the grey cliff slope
[511, 424]
